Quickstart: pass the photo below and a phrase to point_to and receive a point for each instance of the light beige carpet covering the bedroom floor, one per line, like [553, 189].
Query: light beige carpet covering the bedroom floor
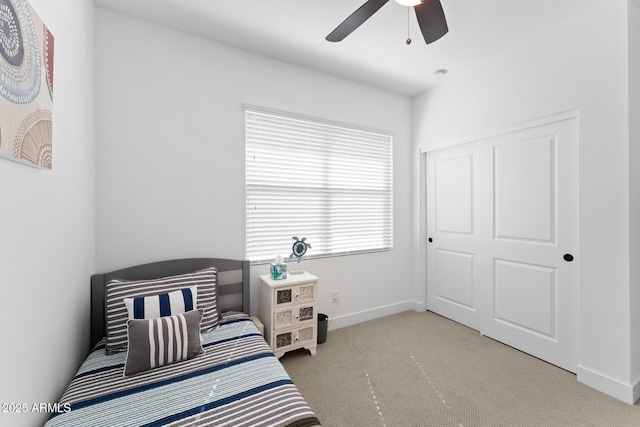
[422, 370]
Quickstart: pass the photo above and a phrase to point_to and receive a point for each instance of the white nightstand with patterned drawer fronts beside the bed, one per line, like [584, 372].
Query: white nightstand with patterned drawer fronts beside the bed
[288, 311]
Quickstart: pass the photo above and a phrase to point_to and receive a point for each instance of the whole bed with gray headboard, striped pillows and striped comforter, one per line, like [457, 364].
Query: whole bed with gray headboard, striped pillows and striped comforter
[234, 379]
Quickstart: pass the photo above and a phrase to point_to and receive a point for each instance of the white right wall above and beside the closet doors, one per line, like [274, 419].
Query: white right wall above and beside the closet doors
[583, 65]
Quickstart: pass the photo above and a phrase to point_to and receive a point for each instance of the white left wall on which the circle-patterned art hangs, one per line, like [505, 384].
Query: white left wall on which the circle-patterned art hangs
[47, 224]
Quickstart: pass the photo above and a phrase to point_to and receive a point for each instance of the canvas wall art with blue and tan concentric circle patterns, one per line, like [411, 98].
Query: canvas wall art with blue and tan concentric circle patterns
[26, 85]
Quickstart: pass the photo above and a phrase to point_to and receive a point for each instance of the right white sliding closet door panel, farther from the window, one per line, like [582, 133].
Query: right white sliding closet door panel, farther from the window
[529, 280]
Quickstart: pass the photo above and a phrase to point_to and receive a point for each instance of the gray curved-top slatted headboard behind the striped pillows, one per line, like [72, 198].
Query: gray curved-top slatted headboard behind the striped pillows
[233, 284]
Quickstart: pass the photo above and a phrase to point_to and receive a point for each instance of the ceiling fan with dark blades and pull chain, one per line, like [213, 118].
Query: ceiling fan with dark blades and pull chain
[431, 20]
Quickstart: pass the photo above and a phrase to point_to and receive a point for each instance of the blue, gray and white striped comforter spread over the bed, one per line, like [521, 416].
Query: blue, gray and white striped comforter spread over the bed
[236, 382]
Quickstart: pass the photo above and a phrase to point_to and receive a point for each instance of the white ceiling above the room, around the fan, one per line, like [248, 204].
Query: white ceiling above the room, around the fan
[375, 54]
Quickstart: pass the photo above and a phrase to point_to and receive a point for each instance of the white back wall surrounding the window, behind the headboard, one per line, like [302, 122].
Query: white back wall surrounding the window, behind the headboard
[170, 156]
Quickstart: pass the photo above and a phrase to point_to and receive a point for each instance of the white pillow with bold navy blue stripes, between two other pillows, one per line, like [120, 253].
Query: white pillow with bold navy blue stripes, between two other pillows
[167, 304]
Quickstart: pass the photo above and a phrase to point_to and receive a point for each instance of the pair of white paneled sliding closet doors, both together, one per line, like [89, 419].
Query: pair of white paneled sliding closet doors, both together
[503, 257]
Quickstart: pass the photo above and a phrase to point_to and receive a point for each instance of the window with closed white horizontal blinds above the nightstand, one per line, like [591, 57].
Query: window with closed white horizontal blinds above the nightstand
[329, 183]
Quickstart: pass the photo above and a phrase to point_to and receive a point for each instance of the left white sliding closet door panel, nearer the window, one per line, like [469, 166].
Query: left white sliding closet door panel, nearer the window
[452, 230]
